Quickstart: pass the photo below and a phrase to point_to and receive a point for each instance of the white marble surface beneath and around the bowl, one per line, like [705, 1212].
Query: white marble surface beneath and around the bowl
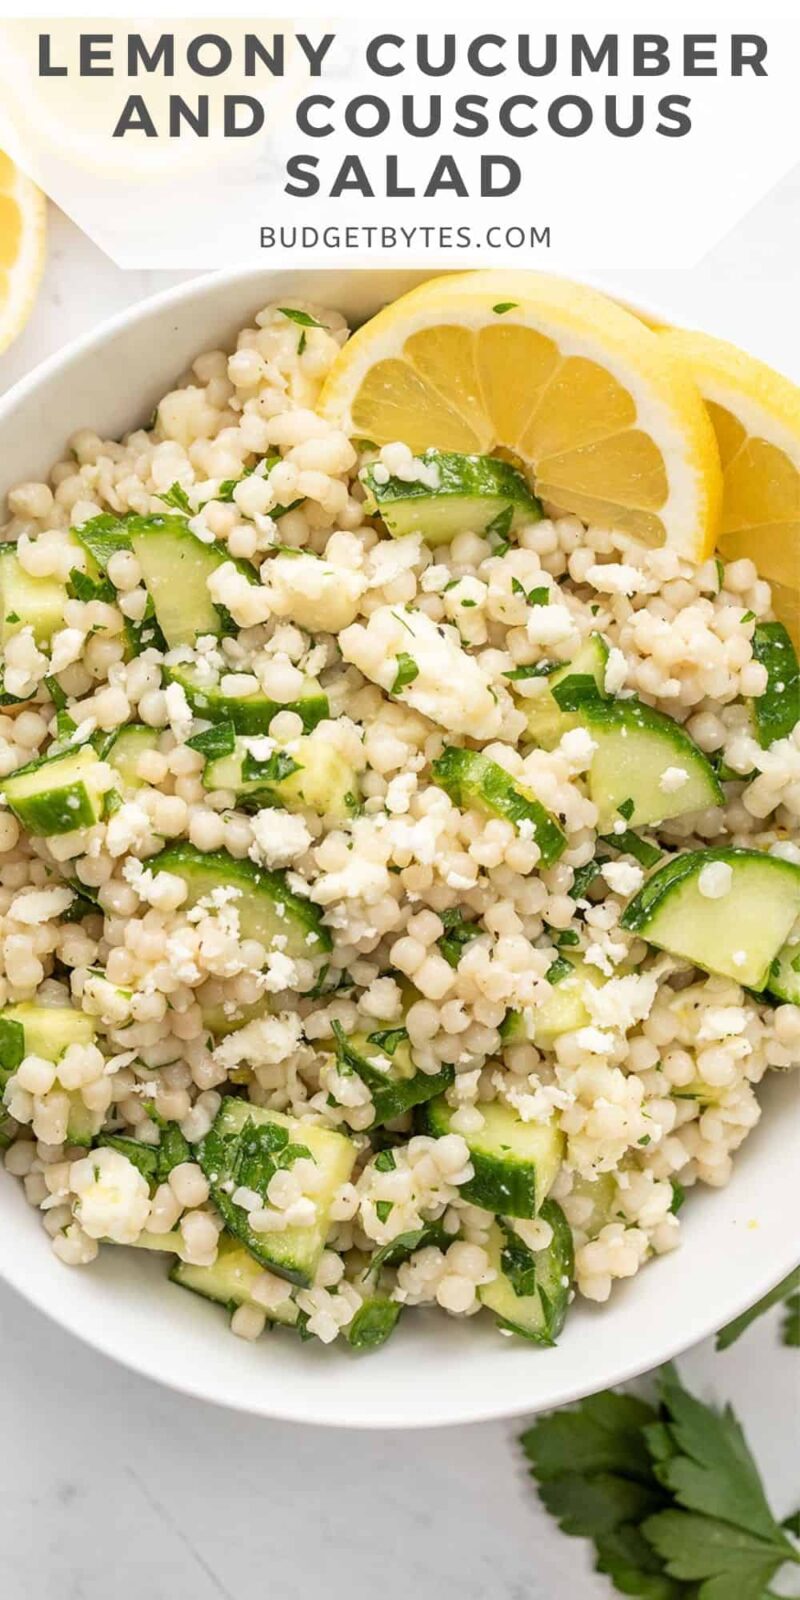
[114, 1487]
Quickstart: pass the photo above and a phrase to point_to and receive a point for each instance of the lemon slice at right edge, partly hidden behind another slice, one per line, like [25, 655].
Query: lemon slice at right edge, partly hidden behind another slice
[756, 415]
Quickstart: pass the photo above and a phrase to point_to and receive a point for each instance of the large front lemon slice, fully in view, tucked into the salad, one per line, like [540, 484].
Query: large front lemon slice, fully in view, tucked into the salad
[553, 375]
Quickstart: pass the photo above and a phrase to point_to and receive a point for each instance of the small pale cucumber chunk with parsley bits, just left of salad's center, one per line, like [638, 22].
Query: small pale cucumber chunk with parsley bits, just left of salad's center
[316, 775]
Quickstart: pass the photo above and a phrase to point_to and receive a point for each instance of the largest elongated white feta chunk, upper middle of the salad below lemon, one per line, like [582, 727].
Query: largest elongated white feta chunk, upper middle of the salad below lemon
[450, 687]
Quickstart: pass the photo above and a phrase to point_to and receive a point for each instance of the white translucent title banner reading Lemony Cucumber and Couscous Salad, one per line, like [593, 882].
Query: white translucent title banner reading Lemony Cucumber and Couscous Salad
[194, 143]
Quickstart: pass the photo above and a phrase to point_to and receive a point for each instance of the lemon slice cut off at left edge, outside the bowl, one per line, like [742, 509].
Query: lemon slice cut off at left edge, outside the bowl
[22, 247]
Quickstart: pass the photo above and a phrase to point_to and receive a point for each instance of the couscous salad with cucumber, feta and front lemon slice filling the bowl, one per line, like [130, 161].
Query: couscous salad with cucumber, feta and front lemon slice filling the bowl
[399, 834]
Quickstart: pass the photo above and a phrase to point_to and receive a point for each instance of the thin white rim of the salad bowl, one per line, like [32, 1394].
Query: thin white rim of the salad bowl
[71, 1321]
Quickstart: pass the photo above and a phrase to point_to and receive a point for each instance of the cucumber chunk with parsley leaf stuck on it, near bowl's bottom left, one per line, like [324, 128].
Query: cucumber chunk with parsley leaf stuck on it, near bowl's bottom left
[246, 1148]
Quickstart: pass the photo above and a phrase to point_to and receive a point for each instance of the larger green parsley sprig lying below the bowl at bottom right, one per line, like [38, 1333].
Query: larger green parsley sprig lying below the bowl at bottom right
[671, 1498]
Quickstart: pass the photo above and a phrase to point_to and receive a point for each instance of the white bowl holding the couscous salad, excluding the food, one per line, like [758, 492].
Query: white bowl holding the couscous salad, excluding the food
[737, 1242]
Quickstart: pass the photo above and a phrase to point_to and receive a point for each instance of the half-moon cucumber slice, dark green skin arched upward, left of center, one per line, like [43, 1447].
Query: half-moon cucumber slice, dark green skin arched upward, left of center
[268, 910]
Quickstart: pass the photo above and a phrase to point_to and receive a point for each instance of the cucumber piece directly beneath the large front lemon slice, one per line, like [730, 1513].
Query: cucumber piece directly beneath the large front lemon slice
[474, 495]
